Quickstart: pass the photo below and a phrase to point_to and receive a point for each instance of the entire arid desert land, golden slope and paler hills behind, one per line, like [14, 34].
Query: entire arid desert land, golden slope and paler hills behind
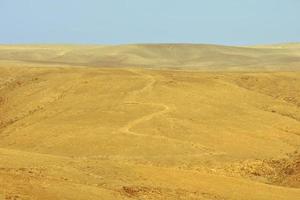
[157, 122]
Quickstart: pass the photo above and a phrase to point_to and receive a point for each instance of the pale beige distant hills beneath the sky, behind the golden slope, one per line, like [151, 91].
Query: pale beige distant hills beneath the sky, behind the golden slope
[283, 57]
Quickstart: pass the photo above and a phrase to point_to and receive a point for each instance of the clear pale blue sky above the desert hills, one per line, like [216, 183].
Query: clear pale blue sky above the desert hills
[230, 22]
